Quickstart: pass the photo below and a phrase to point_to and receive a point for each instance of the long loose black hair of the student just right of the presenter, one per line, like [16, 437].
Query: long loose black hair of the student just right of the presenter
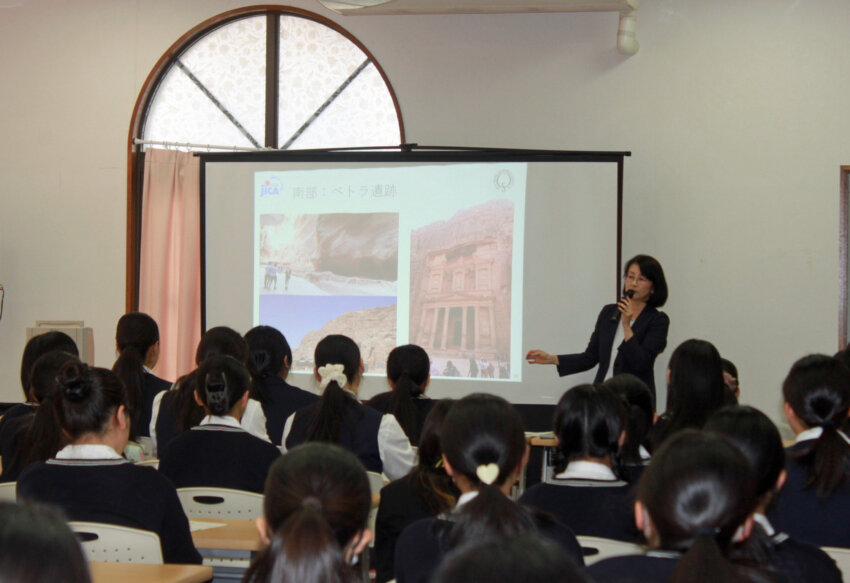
[695, 391]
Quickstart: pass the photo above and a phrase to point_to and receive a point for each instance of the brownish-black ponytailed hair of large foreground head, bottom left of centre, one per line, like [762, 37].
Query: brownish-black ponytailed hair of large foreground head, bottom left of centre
[317, 501]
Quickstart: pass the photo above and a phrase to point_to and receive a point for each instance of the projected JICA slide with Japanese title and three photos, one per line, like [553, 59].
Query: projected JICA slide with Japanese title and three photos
[429, 255]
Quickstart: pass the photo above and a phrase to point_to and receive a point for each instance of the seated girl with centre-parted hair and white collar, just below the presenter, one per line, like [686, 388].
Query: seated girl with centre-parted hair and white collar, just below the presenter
[587, 493]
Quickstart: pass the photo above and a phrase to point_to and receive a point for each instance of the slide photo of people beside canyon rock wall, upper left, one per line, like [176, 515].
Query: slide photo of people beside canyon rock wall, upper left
[329, 254]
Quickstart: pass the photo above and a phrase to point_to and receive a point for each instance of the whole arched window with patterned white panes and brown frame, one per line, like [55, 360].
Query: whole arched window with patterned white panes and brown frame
[252, 78]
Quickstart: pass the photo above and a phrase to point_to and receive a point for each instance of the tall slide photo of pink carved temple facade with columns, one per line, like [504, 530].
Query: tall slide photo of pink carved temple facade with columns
[460, 291]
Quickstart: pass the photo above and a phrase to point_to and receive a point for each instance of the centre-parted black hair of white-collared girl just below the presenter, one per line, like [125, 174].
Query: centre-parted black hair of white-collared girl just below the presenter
[588, 422]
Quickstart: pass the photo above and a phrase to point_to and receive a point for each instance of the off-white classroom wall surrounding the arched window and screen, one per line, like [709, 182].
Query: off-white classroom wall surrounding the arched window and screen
[732, 111]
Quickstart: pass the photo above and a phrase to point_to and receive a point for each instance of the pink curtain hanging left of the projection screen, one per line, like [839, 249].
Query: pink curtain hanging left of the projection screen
[170, 278]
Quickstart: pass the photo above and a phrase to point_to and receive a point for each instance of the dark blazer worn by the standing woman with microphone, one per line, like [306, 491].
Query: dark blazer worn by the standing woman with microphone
[636, 355]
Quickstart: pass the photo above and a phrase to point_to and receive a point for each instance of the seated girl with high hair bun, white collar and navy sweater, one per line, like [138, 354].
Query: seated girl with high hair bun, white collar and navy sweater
[90, 481]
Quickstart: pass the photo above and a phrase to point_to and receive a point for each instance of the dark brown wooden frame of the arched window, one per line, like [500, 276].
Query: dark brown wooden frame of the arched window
[135, 154]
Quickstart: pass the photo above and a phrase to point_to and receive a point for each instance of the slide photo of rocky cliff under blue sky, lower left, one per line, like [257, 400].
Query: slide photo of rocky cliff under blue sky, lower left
[304, 320]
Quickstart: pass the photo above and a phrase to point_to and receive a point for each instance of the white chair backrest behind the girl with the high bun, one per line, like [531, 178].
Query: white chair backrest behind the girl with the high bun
[118, 544]
